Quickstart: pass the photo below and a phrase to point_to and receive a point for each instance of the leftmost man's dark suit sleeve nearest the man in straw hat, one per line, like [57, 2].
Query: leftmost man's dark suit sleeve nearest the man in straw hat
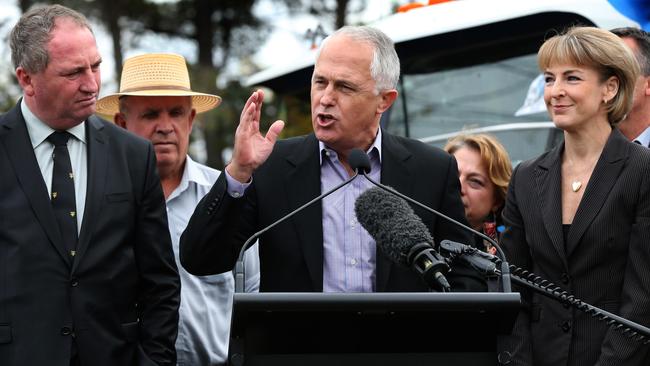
[159, 288]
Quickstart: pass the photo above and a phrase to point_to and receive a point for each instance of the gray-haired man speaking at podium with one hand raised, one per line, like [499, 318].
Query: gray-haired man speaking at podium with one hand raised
[324, 248]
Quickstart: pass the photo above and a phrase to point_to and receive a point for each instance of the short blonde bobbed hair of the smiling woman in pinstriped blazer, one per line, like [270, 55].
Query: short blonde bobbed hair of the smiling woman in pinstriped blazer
[603, 51]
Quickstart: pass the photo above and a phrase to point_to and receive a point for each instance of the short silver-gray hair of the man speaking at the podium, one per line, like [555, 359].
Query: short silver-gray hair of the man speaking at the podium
[385, 68]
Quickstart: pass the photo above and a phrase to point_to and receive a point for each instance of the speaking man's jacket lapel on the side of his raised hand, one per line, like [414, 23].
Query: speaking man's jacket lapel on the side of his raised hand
[304, 167]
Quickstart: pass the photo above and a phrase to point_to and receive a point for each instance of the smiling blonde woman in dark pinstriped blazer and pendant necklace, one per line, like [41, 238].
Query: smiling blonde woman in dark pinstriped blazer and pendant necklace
[579, 215]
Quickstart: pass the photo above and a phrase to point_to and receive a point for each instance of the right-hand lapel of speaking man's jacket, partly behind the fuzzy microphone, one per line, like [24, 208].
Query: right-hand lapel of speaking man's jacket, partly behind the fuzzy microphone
[394, 173]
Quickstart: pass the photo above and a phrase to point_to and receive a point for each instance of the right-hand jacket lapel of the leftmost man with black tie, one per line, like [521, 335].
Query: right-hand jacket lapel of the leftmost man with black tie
[97, 151]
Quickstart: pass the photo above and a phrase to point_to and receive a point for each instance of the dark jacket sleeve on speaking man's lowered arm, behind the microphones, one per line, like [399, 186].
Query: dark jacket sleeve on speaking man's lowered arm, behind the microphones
[462, 278]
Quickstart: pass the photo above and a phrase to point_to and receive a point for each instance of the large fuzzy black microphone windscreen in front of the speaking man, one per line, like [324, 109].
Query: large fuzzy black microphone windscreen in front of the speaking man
[392, 223]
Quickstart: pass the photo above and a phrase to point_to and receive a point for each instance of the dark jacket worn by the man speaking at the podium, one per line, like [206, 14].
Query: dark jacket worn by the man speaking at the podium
[291, 255]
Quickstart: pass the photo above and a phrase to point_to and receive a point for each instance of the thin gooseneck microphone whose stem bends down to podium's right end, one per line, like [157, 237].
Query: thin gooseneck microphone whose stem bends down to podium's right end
[505, 270]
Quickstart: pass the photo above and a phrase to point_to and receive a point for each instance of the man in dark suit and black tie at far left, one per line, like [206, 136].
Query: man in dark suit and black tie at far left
[87, 273]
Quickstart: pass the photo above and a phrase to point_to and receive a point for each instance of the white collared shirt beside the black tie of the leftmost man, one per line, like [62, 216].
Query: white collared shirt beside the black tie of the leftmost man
[38, 132]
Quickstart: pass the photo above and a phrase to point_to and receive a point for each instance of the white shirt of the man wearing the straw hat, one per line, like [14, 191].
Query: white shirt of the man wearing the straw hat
[206, 301]
